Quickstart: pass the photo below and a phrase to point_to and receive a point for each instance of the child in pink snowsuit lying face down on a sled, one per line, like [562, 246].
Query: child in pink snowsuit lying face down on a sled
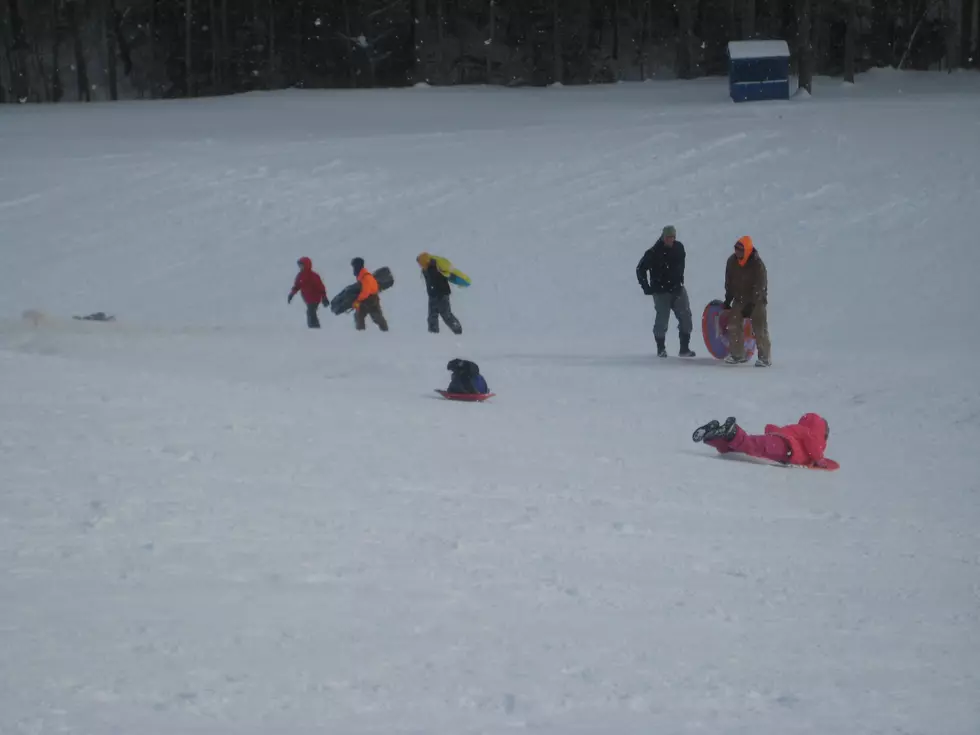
[801, 443]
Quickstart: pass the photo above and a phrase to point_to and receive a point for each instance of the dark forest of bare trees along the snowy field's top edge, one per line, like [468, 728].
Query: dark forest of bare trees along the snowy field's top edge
[53, 50]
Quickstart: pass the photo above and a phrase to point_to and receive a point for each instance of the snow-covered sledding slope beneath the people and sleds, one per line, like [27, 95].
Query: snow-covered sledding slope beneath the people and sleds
[213, 520]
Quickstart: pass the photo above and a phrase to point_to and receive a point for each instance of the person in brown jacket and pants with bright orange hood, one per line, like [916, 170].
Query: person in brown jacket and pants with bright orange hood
[746, 296]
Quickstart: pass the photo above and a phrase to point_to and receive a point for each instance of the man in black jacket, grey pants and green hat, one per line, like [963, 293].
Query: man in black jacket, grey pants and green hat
[661, 275]
